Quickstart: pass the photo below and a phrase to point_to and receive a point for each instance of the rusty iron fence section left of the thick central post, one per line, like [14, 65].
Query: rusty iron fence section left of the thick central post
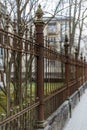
[18, 106]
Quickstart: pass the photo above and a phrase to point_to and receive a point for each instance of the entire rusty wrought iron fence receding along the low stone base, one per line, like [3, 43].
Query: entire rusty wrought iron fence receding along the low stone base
[34, 79]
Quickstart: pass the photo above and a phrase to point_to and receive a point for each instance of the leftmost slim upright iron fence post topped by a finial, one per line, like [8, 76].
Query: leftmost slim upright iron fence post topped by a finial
[6, 65]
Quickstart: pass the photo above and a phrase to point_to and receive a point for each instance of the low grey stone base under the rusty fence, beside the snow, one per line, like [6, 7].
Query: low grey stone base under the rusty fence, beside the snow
[61, 116]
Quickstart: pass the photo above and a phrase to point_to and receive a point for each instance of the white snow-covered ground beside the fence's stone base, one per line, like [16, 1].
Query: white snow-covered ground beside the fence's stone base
[78, 121]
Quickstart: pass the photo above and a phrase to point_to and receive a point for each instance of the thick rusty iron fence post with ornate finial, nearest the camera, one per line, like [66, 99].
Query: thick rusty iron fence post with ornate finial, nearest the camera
[39, 26]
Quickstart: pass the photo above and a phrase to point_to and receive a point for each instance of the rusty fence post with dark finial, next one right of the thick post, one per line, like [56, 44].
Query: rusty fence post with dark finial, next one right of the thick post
[66, 45]
